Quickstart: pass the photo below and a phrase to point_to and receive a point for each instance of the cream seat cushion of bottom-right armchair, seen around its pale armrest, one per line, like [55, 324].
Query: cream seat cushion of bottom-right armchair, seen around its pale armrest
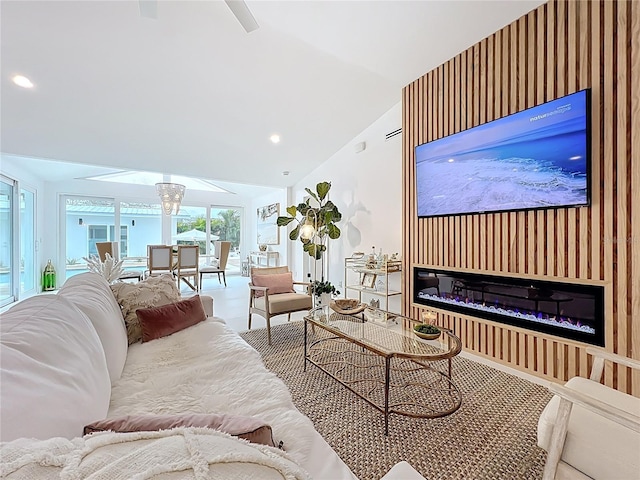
[594, 445]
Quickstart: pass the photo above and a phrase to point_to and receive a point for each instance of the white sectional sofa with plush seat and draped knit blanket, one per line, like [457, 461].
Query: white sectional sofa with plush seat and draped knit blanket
[66, 363]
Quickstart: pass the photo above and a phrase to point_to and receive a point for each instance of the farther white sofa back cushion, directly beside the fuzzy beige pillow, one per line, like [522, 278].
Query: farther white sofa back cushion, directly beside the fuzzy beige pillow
[90, 292]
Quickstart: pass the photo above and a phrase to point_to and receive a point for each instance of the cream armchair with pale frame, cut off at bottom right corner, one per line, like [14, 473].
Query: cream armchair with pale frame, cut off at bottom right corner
[589, 430]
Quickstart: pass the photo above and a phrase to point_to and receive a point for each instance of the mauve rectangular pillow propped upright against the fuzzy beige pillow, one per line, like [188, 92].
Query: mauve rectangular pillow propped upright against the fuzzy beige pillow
[161, 321]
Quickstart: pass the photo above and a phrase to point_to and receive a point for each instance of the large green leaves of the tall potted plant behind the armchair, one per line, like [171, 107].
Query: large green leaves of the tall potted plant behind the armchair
[316, 224]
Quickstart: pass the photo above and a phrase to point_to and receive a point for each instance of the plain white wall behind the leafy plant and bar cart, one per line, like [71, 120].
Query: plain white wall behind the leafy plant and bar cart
[367, 189]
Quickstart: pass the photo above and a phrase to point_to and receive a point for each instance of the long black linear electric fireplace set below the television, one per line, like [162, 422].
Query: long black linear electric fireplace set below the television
[569, 310]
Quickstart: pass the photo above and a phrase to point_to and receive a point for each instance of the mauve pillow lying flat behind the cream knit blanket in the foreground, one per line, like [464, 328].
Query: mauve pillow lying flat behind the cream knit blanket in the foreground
[249, 428]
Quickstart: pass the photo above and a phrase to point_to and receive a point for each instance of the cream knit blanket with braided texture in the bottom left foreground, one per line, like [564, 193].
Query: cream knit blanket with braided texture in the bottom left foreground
[181, 453]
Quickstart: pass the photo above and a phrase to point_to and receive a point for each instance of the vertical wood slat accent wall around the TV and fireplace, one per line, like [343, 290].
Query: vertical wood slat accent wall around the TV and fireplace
[557, 49]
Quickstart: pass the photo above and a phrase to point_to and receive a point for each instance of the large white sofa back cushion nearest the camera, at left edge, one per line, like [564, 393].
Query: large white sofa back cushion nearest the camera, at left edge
[54, 374]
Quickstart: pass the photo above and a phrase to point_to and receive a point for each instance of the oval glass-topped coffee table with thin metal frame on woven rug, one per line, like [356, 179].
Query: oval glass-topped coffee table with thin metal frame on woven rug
[384, 362]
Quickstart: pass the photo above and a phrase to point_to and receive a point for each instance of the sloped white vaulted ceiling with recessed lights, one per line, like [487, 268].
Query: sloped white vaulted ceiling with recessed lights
[191, 92]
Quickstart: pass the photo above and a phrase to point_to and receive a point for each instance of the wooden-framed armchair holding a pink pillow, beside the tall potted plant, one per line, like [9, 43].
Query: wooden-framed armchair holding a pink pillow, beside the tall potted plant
[272, 292]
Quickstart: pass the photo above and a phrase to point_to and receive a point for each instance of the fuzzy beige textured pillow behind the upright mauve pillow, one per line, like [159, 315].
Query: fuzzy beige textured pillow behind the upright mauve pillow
[151, 292]
